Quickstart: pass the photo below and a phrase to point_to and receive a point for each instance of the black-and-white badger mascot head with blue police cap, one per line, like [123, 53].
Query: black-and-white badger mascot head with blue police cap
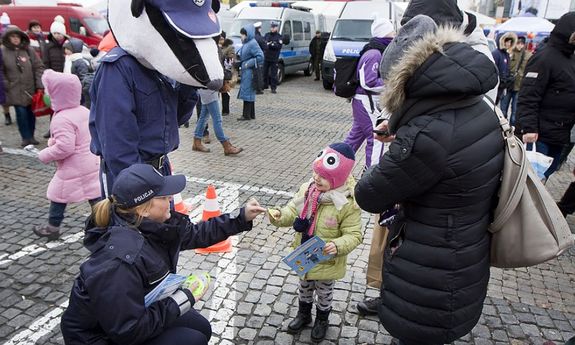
[174, 37]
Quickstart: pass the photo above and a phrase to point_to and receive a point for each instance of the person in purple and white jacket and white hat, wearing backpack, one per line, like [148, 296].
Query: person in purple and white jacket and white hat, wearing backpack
[366, 99]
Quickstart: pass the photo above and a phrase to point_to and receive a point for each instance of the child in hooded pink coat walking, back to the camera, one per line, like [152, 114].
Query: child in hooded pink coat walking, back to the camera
[77, 169]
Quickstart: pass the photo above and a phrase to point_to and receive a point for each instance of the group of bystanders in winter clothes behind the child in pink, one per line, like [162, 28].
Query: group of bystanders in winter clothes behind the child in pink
[25, 57]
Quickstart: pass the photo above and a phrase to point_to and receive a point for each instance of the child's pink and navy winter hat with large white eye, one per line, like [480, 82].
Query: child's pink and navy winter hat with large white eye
[335, 163]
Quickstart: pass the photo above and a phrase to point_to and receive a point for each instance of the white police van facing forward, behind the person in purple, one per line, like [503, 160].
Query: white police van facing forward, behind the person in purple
[351, 32]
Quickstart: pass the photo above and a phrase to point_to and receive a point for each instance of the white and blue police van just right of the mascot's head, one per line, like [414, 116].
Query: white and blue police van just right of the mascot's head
[296, 25]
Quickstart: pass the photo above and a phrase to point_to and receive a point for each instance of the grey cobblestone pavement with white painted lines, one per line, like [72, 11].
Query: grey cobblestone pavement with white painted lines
[255, 294]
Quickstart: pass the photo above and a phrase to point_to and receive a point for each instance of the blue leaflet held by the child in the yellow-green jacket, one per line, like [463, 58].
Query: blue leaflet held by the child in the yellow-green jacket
[307, 256]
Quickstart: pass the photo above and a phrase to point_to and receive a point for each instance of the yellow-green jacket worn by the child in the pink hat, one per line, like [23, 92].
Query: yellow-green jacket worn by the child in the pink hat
[342, 227]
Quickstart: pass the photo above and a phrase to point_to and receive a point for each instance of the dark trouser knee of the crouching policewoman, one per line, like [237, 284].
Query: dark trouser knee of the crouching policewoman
[189, 329]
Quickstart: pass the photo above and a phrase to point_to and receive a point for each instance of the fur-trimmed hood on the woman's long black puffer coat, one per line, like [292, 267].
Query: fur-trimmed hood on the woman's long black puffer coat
[437, 72]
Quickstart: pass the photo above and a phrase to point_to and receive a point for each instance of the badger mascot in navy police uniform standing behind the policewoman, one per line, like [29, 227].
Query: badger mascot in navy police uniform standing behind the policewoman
[146, 86]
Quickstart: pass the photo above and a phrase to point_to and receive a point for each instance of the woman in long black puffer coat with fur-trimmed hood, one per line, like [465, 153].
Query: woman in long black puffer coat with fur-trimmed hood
[443, 170]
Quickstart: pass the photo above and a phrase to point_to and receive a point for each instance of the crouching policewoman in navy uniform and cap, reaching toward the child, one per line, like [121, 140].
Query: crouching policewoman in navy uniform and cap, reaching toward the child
[135, 240]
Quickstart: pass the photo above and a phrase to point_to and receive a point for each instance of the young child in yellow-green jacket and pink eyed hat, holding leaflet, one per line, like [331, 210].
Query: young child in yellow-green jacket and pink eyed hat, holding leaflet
[323, 207]
